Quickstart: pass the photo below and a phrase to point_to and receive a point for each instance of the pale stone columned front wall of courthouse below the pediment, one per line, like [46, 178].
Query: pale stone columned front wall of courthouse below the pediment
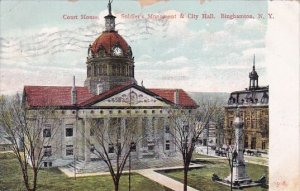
[73, 138]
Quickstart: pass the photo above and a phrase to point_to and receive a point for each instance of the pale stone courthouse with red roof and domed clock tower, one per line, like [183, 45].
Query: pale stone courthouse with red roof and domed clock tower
[110, 92]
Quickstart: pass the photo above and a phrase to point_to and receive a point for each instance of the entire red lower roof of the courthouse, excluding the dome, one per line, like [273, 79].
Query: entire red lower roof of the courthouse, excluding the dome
[61, 95]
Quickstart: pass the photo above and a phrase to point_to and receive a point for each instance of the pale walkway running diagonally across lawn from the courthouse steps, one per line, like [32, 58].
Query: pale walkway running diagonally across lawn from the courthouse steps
[163, 180]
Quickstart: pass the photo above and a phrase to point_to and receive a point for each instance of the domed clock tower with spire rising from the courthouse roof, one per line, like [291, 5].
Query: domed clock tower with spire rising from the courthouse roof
[110, 62]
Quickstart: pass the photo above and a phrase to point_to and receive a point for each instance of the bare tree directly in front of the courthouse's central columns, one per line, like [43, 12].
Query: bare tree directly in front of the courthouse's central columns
[113, 141]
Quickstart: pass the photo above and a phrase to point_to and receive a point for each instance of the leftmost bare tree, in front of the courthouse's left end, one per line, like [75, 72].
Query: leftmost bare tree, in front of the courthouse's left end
[30, 133]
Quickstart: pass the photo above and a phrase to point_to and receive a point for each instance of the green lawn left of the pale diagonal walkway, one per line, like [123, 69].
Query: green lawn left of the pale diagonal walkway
[53, 179]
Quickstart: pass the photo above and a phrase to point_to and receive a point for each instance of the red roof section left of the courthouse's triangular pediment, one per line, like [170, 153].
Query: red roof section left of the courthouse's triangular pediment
[54, 95]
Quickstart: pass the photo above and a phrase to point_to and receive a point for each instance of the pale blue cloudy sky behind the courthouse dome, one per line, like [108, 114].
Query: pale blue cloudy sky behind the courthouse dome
[39, 46]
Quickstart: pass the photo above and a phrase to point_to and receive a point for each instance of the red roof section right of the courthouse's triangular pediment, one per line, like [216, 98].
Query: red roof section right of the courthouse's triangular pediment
[168, 94]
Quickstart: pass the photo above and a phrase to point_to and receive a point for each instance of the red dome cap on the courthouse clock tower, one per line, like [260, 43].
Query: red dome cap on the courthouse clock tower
[108, 40]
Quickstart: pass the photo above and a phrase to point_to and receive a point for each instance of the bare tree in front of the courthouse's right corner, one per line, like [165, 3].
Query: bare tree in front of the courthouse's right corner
[187, 126]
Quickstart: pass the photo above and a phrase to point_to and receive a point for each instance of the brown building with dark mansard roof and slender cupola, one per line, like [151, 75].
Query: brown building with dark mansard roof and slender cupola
[254, 106]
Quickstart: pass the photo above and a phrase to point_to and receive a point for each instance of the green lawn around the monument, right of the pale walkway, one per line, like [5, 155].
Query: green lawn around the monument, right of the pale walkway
[201, 178]
